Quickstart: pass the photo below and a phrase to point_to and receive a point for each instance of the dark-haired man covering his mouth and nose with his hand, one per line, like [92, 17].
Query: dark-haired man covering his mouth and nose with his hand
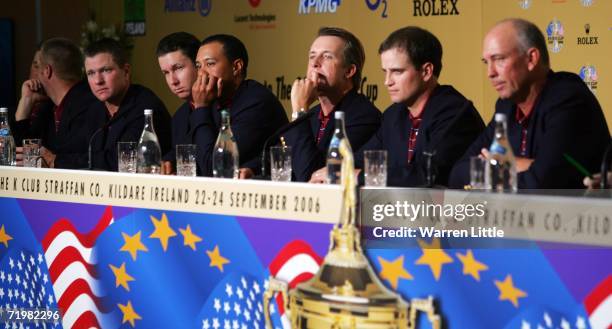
[255, 112]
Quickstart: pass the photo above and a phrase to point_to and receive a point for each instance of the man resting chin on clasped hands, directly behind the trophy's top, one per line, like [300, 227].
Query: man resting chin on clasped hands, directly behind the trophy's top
[333, 75]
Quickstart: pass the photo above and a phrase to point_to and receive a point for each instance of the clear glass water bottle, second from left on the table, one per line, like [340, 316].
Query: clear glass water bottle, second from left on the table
[149, 152]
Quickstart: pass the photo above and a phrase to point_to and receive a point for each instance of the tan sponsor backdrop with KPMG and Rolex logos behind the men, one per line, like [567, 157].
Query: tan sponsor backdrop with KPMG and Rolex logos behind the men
[278, 35]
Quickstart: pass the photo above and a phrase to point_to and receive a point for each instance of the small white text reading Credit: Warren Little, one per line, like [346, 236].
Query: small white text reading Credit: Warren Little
[432, 232]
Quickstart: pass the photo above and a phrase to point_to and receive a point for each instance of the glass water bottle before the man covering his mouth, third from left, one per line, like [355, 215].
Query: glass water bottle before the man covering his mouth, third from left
[225, 154]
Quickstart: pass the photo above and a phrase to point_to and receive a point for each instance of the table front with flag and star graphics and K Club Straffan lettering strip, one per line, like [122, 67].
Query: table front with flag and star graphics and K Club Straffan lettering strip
[160, 251]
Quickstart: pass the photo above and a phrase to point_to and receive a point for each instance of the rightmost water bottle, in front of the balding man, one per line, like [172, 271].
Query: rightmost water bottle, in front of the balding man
[500, 171]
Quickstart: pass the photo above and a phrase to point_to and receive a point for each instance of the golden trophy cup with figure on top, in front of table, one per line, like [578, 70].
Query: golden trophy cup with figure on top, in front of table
[346, 293]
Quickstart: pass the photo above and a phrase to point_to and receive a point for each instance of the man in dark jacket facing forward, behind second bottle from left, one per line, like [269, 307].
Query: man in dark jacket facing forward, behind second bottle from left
[121, 104]
